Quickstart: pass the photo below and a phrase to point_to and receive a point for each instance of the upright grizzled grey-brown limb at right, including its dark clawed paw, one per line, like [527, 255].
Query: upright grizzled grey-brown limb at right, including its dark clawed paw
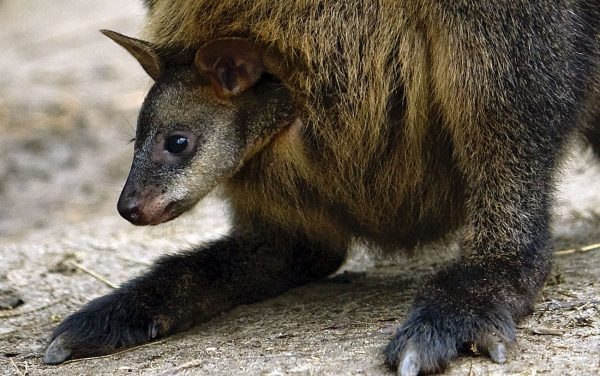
[510, 145]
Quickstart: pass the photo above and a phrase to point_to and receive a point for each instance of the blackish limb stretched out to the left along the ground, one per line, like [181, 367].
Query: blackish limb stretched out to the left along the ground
[185, 289]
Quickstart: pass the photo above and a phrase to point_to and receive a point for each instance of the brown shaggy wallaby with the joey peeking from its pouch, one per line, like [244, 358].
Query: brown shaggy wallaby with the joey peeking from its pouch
[323, 121]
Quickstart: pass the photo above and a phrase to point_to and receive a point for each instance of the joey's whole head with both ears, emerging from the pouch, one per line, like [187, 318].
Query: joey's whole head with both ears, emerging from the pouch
[207, 113]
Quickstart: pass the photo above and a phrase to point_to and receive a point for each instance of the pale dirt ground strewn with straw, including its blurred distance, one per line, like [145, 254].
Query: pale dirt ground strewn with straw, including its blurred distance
[68, 101]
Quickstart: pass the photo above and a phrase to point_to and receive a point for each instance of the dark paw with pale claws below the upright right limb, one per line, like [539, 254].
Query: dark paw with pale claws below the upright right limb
[447, 318]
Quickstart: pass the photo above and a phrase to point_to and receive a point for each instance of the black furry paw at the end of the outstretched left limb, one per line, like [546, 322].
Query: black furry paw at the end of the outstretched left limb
[103, 326]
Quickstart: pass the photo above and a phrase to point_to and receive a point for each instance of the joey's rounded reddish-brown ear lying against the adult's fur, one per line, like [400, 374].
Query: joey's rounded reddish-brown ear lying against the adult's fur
[232, 64]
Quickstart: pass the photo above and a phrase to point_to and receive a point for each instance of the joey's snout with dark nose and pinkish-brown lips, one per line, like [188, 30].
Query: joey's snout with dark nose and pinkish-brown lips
[145, 207]
